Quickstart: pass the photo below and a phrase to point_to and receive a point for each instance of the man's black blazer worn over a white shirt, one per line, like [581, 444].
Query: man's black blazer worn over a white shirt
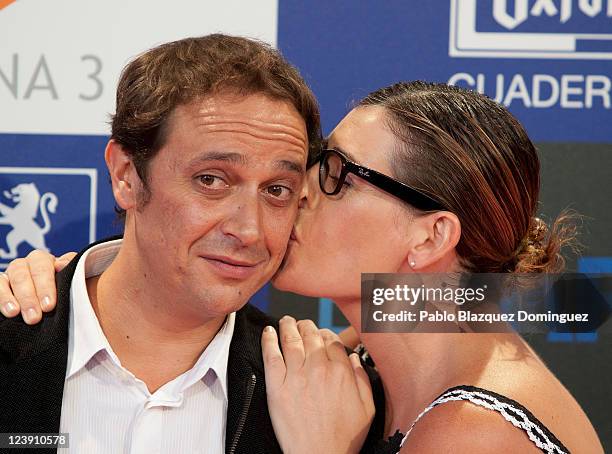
[33, 362]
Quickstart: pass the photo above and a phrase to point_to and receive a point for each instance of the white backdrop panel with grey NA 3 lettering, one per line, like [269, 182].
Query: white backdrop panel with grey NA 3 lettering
[60, 60]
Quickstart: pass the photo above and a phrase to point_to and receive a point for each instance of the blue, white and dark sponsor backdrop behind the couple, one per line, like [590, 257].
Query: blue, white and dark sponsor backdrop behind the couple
[548, 61]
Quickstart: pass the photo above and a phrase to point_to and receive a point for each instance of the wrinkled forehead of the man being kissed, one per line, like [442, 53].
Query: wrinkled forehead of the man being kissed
[224, 128]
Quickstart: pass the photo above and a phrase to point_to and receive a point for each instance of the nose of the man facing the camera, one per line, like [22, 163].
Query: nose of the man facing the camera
[245, 223]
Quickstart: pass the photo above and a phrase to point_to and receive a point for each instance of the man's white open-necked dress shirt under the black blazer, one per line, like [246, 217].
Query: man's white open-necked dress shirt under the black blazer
[106, 409]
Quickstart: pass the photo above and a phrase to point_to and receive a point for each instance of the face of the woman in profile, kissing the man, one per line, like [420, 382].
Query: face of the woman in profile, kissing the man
[362, 229]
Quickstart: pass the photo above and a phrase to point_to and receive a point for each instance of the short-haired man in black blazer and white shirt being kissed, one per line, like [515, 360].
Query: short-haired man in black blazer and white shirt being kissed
[207, 157]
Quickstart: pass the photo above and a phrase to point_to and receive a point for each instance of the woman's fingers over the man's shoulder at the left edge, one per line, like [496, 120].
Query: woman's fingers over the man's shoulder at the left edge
[28, 285]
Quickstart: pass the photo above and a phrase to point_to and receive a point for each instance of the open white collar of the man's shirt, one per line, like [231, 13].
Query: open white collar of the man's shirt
[86, 337]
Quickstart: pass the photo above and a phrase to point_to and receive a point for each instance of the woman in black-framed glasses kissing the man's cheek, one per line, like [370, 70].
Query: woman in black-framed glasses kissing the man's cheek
[427, 178]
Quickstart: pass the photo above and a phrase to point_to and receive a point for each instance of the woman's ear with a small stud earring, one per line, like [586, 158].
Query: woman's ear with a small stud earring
[434, 238]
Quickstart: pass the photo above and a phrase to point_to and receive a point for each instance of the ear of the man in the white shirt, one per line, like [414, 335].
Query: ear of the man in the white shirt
[124, 178]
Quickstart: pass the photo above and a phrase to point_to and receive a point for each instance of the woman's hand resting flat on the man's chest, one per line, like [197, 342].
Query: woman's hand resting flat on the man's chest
[320, 399]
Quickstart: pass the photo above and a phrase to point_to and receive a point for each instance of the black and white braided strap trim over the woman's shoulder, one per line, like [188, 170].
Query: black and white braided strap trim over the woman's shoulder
[512, 411]
